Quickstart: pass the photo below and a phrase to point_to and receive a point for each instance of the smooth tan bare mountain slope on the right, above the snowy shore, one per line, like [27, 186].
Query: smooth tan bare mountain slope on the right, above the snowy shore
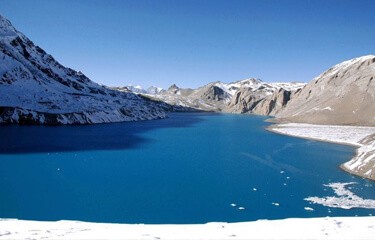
[343, 95]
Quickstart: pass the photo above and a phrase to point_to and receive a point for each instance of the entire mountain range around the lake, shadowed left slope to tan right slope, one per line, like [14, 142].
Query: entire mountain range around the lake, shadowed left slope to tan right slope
[36, 89]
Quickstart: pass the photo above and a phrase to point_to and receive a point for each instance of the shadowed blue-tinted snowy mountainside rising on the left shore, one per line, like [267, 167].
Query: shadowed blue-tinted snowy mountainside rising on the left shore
[36, 89]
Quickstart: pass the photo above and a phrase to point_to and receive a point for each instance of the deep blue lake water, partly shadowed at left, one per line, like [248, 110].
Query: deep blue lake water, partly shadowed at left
[188, 168]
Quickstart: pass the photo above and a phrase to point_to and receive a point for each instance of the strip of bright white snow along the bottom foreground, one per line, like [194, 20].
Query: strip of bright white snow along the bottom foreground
[309, 228]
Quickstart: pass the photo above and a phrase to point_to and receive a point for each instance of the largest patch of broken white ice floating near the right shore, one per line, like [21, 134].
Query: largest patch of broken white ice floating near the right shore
[344, 198]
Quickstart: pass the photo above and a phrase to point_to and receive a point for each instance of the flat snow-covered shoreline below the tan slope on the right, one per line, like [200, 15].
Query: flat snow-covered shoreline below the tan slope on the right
[362, 164]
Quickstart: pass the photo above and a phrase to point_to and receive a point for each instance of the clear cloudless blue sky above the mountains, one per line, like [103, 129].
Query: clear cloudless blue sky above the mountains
[193, 42]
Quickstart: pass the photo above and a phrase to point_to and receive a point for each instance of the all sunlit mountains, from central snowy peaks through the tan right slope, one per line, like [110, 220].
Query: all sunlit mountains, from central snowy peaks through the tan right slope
[342, 95]
